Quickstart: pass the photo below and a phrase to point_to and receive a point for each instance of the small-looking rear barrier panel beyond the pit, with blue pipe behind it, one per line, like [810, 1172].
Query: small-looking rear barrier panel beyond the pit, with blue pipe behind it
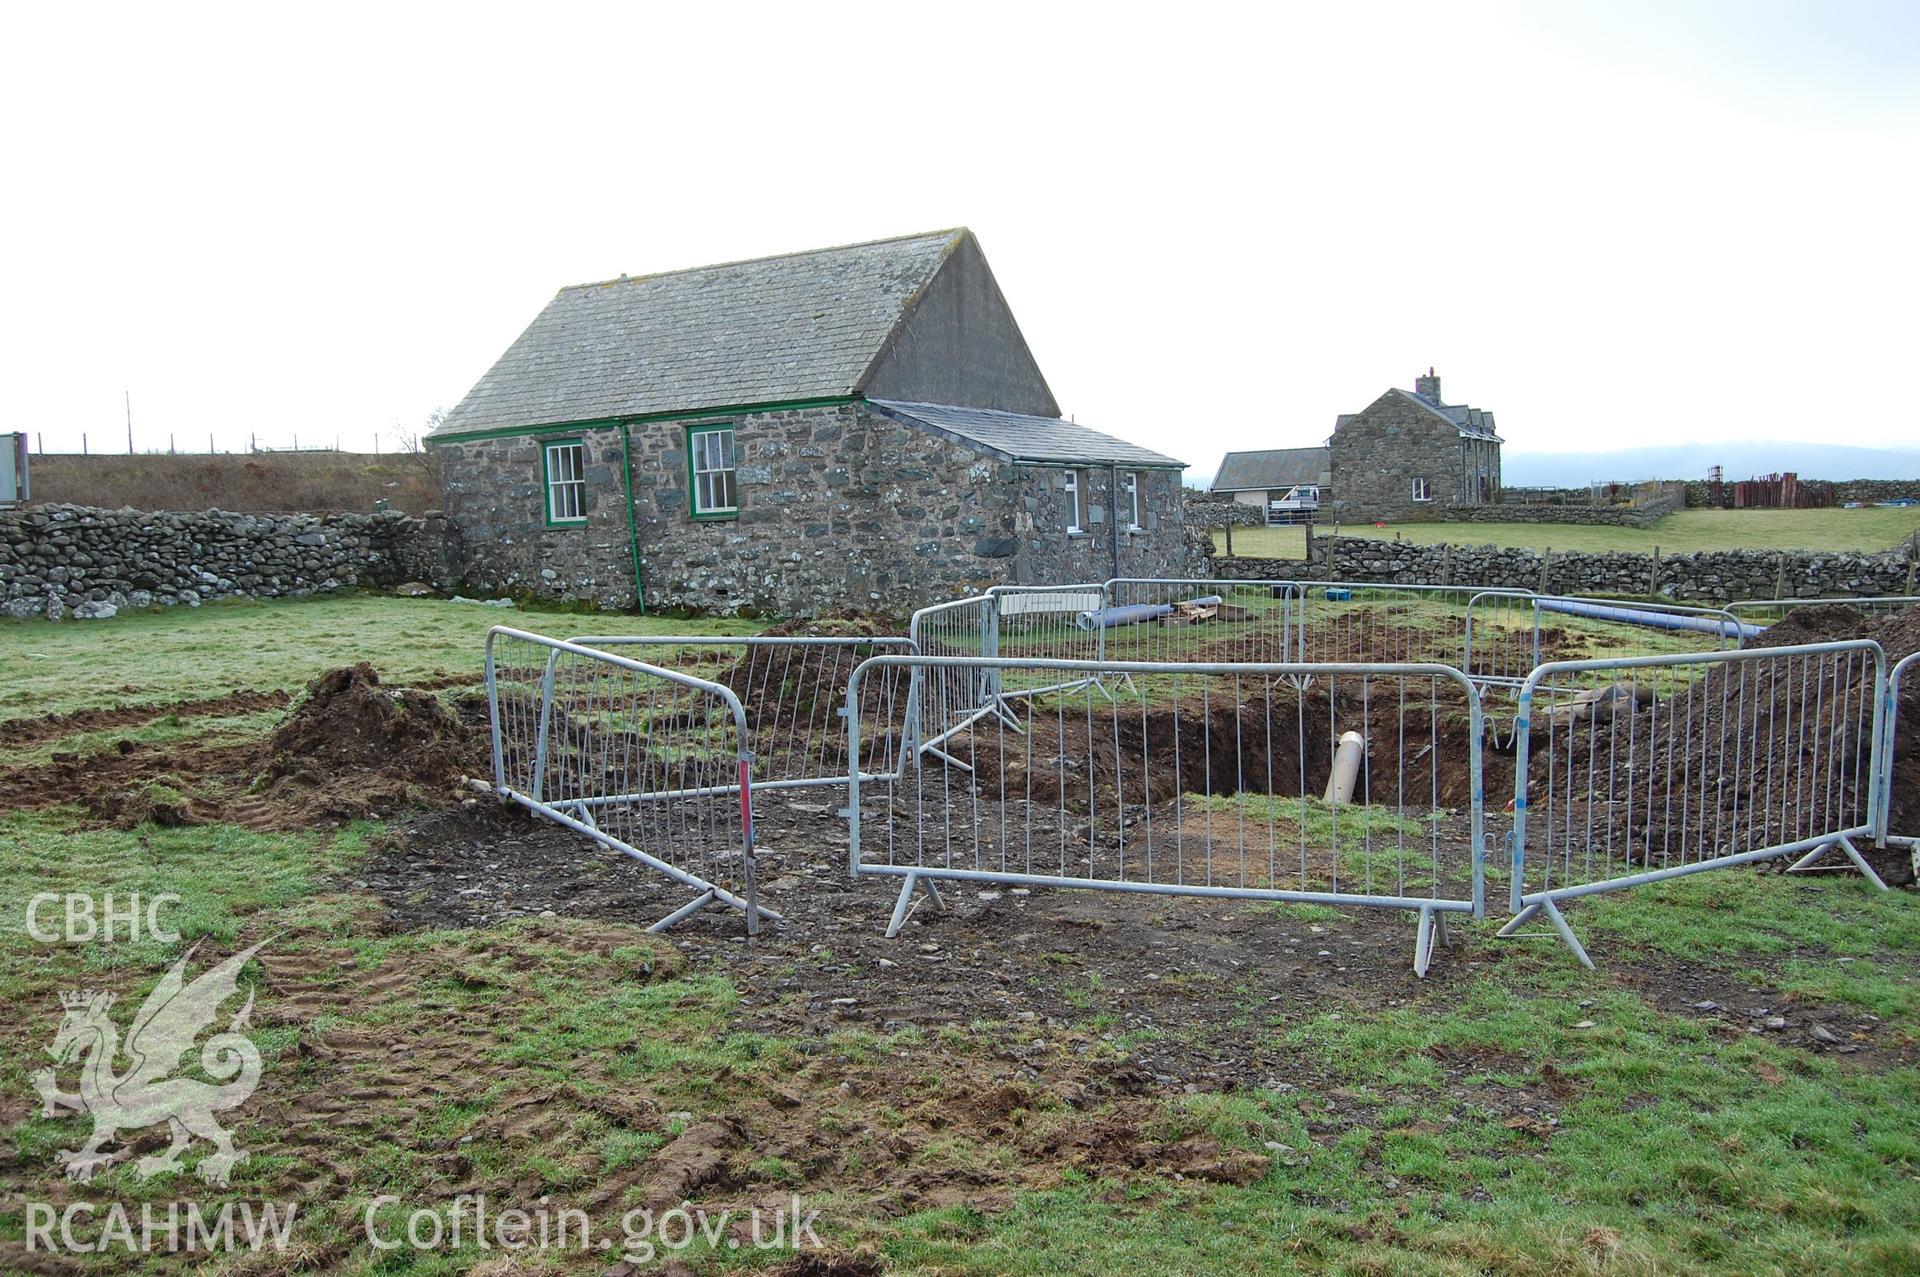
[1199, 619]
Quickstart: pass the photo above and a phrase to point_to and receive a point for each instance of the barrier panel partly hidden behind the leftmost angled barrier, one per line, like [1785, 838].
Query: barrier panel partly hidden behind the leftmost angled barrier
[794, 690]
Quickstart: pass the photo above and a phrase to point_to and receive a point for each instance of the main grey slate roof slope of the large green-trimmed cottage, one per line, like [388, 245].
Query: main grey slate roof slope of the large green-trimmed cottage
[775, 329]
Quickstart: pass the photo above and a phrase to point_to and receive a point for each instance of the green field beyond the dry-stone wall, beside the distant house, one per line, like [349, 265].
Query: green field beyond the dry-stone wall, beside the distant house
[1677, 535]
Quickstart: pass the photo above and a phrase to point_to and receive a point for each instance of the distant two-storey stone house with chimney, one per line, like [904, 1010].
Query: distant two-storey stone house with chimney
[1410, 456]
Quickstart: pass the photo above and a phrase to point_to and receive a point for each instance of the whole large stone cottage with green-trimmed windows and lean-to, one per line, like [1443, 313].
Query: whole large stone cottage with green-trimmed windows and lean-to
[844, 429]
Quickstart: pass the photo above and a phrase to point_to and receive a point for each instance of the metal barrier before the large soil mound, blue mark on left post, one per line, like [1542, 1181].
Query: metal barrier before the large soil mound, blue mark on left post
[1643, 769]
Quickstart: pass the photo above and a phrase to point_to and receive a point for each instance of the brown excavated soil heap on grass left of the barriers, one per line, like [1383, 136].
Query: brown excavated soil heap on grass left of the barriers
[348, 750]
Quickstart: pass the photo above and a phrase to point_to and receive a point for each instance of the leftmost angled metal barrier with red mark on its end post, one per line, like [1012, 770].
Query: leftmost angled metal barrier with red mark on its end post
[650, 763]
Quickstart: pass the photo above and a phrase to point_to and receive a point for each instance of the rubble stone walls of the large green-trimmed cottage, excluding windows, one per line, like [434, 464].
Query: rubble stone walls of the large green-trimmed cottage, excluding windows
[840, 510]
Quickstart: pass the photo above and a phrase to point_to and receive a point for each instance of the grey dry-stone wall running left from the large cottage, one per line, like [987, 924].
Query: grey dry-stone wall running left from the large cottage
[87, 564]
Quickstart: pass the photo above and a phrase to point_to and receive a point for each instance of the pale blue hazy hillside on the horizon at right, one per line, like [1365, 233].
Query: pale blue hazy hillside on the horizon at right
[1694, 460]
